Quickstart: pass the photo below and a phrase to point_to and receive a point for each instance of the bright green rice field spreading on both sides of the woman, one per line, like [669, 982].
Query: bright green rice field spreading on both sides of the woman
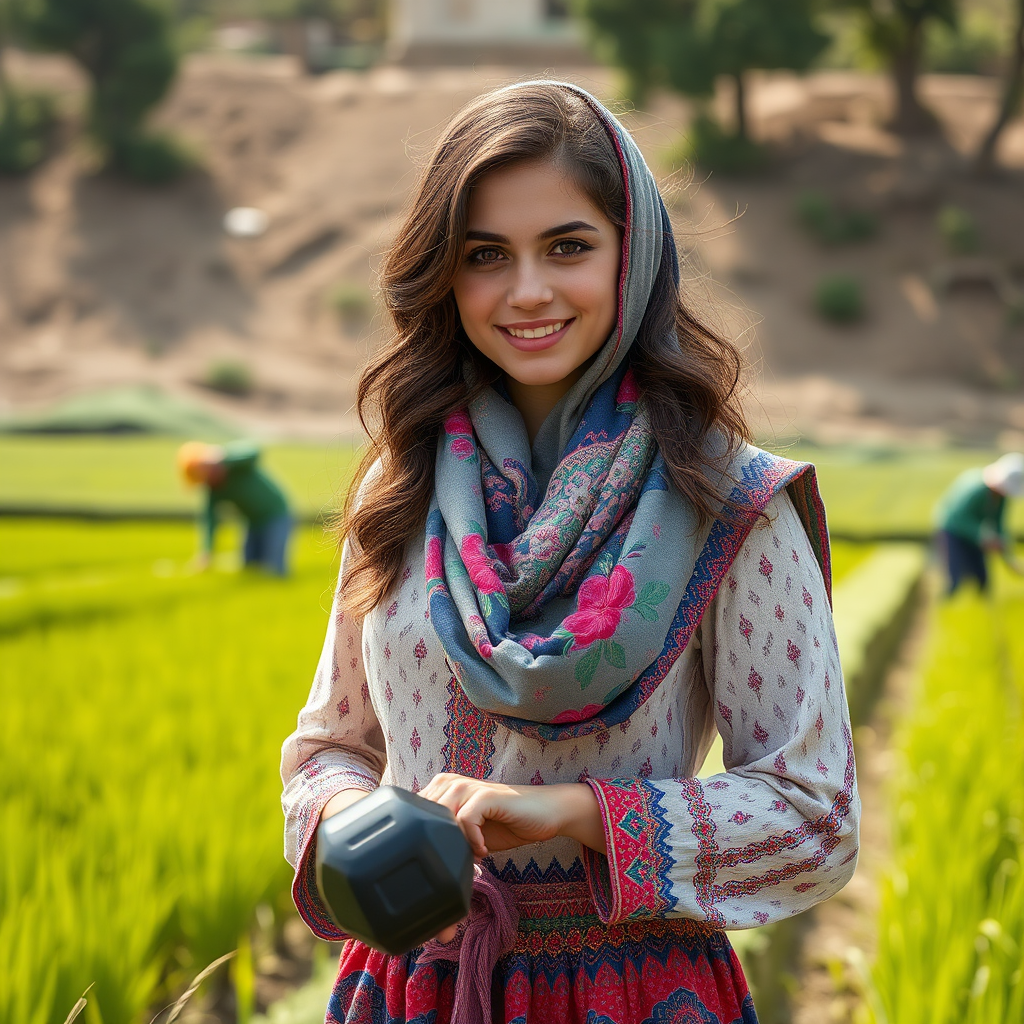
[144, 708]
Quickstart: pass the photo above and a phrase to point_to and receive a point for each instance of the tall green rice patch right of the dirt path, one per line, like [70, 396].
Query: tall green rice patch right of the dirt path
[952, 925]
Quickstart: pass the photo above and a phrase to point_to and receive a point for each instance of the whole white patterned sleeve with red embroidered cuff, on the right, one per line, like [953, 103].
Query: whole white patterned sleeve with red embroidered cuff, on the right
[779, 831]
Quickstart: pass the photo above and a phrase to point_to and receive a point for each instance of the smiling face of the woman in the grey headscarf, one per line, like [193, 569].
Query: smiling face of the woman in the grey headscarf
[538, 290]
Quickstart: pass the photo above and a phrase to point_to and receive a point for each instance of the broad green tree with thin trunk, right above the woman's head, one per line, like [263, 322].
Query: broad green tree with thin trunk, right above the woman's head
[687, 45]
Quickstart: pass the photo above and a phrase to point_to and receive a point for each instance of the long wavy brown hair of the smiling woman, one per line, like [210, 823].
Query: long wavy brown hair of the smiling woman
[687, 373]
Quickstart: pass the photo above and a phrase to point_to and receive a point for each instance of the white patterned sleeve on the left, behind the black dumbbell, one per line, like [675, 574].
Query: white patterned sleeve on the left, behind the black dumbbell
[338, 745]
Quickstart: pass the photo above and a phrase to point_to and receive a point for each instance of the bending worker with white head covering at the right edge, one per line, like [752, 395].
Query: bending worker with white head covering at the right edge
[971, 520]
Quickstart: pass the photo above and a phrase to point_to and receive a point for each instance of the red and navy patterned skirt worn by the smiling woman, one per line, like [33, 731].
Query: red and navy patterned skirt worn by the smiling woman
[566, 968]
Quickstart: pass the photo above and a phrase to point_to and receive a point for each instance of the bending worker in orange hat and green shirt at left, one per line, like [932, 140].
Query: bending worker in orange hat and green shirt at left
[232, 474]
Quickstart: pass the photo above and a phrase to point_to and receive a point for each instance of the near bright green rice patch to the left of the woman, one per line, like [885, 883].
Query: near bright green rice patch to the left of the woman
[140, 738]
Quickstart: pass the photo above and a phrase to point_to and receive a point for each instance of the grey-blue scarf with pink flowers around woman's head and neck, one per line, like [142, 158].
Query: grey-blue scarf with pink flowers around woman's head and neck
[562, 610]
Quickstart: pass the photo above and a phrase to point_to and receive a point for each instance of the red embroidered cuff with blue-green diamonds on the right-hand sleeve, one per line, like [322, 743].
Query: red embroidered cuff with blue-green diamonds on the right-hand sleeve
[633, 880]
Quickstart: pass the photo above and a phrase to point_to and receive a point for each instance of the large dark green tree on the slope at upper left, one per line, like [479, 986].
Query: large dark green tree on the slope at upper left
[126, 49]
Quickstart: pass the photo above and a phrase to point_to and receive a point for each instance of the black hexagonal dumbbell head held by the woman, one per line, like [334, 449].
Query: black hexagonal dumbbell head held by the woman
[395, 870]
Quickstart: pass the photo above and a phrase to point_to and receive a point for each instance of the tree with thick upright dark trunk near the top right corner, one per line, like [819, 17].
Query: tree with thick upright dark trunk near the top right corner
[895, 30]
